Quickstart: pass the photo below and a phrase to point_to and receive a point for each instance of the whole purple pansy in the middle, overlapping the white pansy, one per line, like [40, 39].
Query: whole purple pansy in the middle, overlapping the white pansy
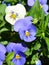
[26, 30]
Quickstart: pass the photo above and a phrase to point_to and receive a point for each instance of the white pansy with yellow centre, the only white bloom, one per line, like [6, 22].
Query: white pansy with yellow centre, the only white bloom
[14, 13]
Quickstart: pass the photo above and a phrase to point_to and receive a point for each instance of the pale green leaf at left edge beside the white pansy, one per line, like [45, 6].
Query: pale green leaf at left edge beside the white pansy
[2, 13]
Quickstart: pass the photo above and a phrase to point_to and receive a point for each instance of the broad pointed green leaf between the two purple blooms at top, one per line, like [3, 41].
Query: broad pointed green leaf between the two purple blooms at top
[35, 10]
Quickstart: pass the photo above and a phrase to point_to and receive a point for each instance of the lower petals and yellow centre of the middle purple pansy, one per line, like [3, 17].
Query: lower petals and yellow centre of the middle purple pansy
[28, 35]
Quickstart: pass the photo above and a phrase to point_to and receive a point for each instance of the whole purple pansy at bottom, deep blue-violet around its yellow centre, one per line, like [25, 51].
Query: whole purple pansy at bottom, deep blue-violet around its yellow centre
[18, 49]
